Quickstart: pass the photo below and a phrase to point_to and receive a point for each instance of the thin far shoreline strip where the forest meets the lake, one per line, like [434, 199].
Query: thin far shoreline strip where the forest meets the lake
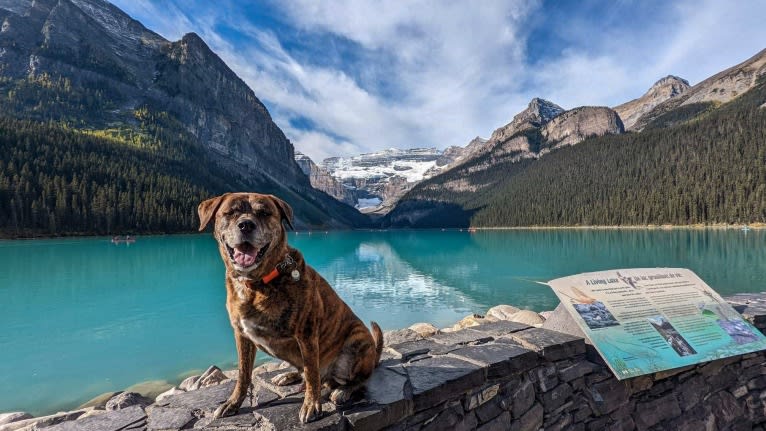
[716, 226]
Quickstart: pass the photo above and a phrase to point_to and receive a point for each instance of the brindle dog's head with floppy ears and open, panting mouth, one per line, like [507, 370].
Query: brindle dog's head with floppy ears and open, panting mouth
[248, 228]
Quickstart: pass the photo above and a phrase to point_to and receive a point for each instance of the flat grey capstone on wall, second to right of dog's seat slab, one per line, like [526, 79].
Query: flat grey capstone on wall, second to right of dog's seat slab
[499, 359]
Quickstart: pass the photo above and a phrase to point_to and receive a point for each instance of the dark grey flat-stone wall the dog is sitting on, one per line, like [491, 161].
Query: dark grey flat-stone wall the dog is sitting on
[497, 376]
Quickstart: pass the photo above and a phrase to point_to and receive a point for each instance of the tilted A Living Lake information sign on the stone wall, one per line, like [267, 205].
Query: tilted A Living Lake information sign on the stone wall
[643, 321]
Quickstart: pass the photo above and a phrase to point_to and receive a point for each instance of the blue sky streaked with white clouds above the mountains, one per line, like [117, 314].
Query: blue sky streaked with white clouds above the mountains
[343, 77]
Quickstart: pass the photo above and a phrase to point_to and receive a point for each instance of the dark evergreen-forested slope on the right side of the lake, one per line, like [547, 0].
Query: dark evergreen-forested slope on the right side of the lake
[704, 166]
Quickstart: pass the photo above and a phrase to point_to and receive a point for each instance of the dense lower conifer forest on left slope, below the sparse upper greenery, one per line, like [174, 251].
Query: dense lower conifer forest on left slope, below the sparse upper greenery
[55, 180]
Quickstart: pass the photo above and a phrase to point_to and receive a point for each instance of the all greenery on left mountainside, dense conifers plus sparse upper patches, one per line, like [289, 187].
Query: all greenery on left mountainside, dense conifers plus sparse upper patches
[72, 162]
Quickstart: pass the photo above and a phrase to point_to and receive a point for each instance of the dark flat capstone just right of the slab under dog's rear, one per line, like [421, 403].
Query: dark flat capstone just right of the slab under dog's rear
[439, 378]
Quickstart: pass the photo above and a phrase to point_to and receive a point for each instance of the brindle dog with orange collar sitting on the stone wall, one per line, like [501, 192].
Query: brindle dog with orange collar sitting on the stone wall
[279, 304]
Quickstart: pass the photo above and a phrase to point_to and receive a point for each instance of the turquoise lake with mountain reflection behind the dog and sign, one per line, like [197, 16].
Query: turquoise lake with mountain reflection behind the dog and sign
[80, 317]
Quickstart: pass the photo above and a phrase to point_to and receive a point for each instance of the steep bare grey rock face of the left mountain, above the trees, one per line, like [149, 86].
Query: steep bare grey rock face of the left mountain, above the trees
[92, 46]
